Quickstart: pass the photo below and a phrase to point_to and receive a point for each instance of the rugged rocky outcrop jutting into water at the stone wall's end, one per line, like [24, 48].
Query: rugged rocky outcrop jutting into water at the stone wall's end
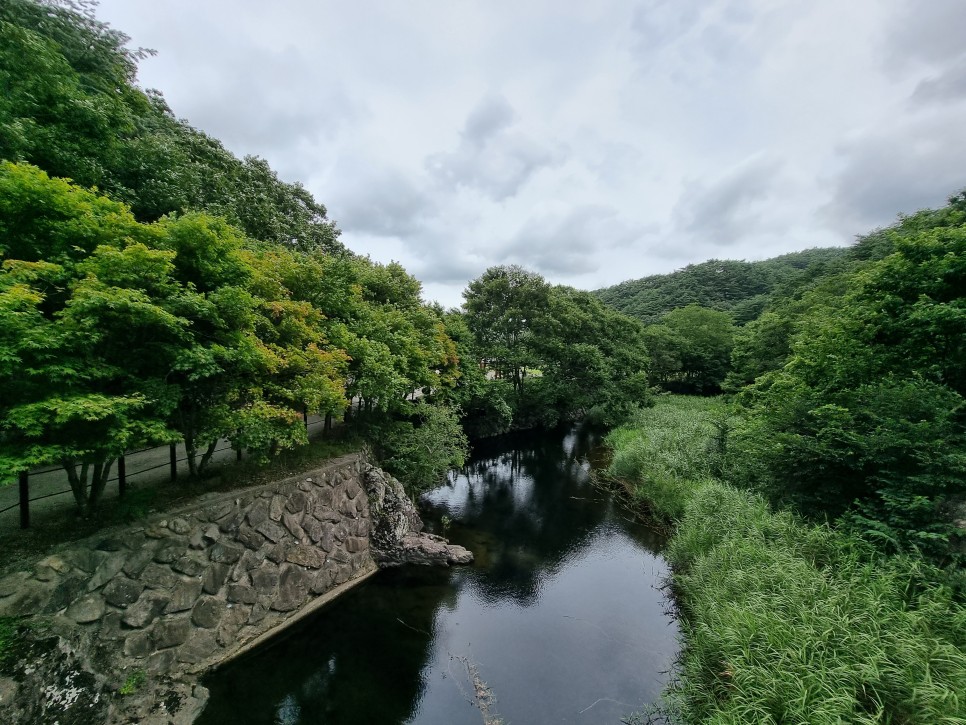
[397, 536]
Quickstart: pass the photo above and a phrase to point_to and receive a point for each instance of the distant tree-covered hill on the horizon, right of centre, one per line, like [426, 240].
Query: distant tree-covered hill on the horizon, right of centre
[742, 288]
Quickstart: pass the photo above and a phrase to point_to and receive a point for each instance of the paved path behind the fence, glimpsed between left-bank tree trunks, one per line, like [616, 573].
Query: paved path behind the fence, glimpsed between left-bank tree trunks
[50, 489]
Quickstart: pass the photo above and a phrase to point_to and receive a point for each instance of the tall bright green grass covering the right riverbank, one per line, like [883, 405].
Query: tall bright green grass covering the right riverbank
[785, 621]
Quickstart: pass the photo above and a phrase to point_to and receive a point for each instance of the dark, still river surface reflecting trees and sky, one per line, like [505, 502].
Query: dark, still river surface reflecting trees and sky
[561, 619]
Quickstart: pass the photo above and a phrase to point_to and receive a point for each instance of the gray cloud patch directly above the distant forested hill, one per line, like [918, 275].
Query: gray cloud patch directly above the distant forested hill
[733, 206]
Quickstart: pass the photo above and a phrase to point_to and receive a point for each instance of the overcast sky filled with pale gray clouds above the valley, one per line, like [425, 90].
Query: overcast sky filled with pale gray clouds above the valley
[592, 142]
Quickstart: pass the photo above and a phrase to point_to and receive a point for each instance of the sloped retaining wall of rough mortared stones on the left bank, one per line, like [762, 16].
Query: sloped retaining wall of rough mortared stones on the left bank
[148, 607]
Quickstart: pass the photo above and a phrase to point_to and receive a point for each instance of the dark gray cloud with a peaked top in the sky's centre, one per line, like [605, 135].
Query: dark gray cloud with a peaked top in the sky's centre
[492, 158]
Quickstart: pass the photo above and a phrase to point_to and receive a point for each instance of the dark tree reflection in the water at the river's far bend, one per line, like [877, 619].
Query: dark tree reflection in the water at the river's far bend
[533, 498]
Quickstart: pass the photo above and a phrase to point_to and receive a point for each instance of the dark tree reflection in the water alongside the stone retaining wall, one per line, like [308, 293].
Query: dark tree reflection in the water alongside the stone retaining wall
[337, 667]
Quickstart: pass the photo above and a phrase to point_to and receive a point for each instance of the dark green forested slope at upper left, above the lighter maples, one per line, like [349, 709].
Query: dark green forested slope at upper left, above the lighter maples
[70, 105]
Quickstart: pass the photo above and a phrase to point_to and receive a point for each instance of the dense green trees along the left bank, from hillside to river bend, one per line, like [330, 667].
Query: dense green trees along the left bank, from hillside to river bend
[155, 288]
